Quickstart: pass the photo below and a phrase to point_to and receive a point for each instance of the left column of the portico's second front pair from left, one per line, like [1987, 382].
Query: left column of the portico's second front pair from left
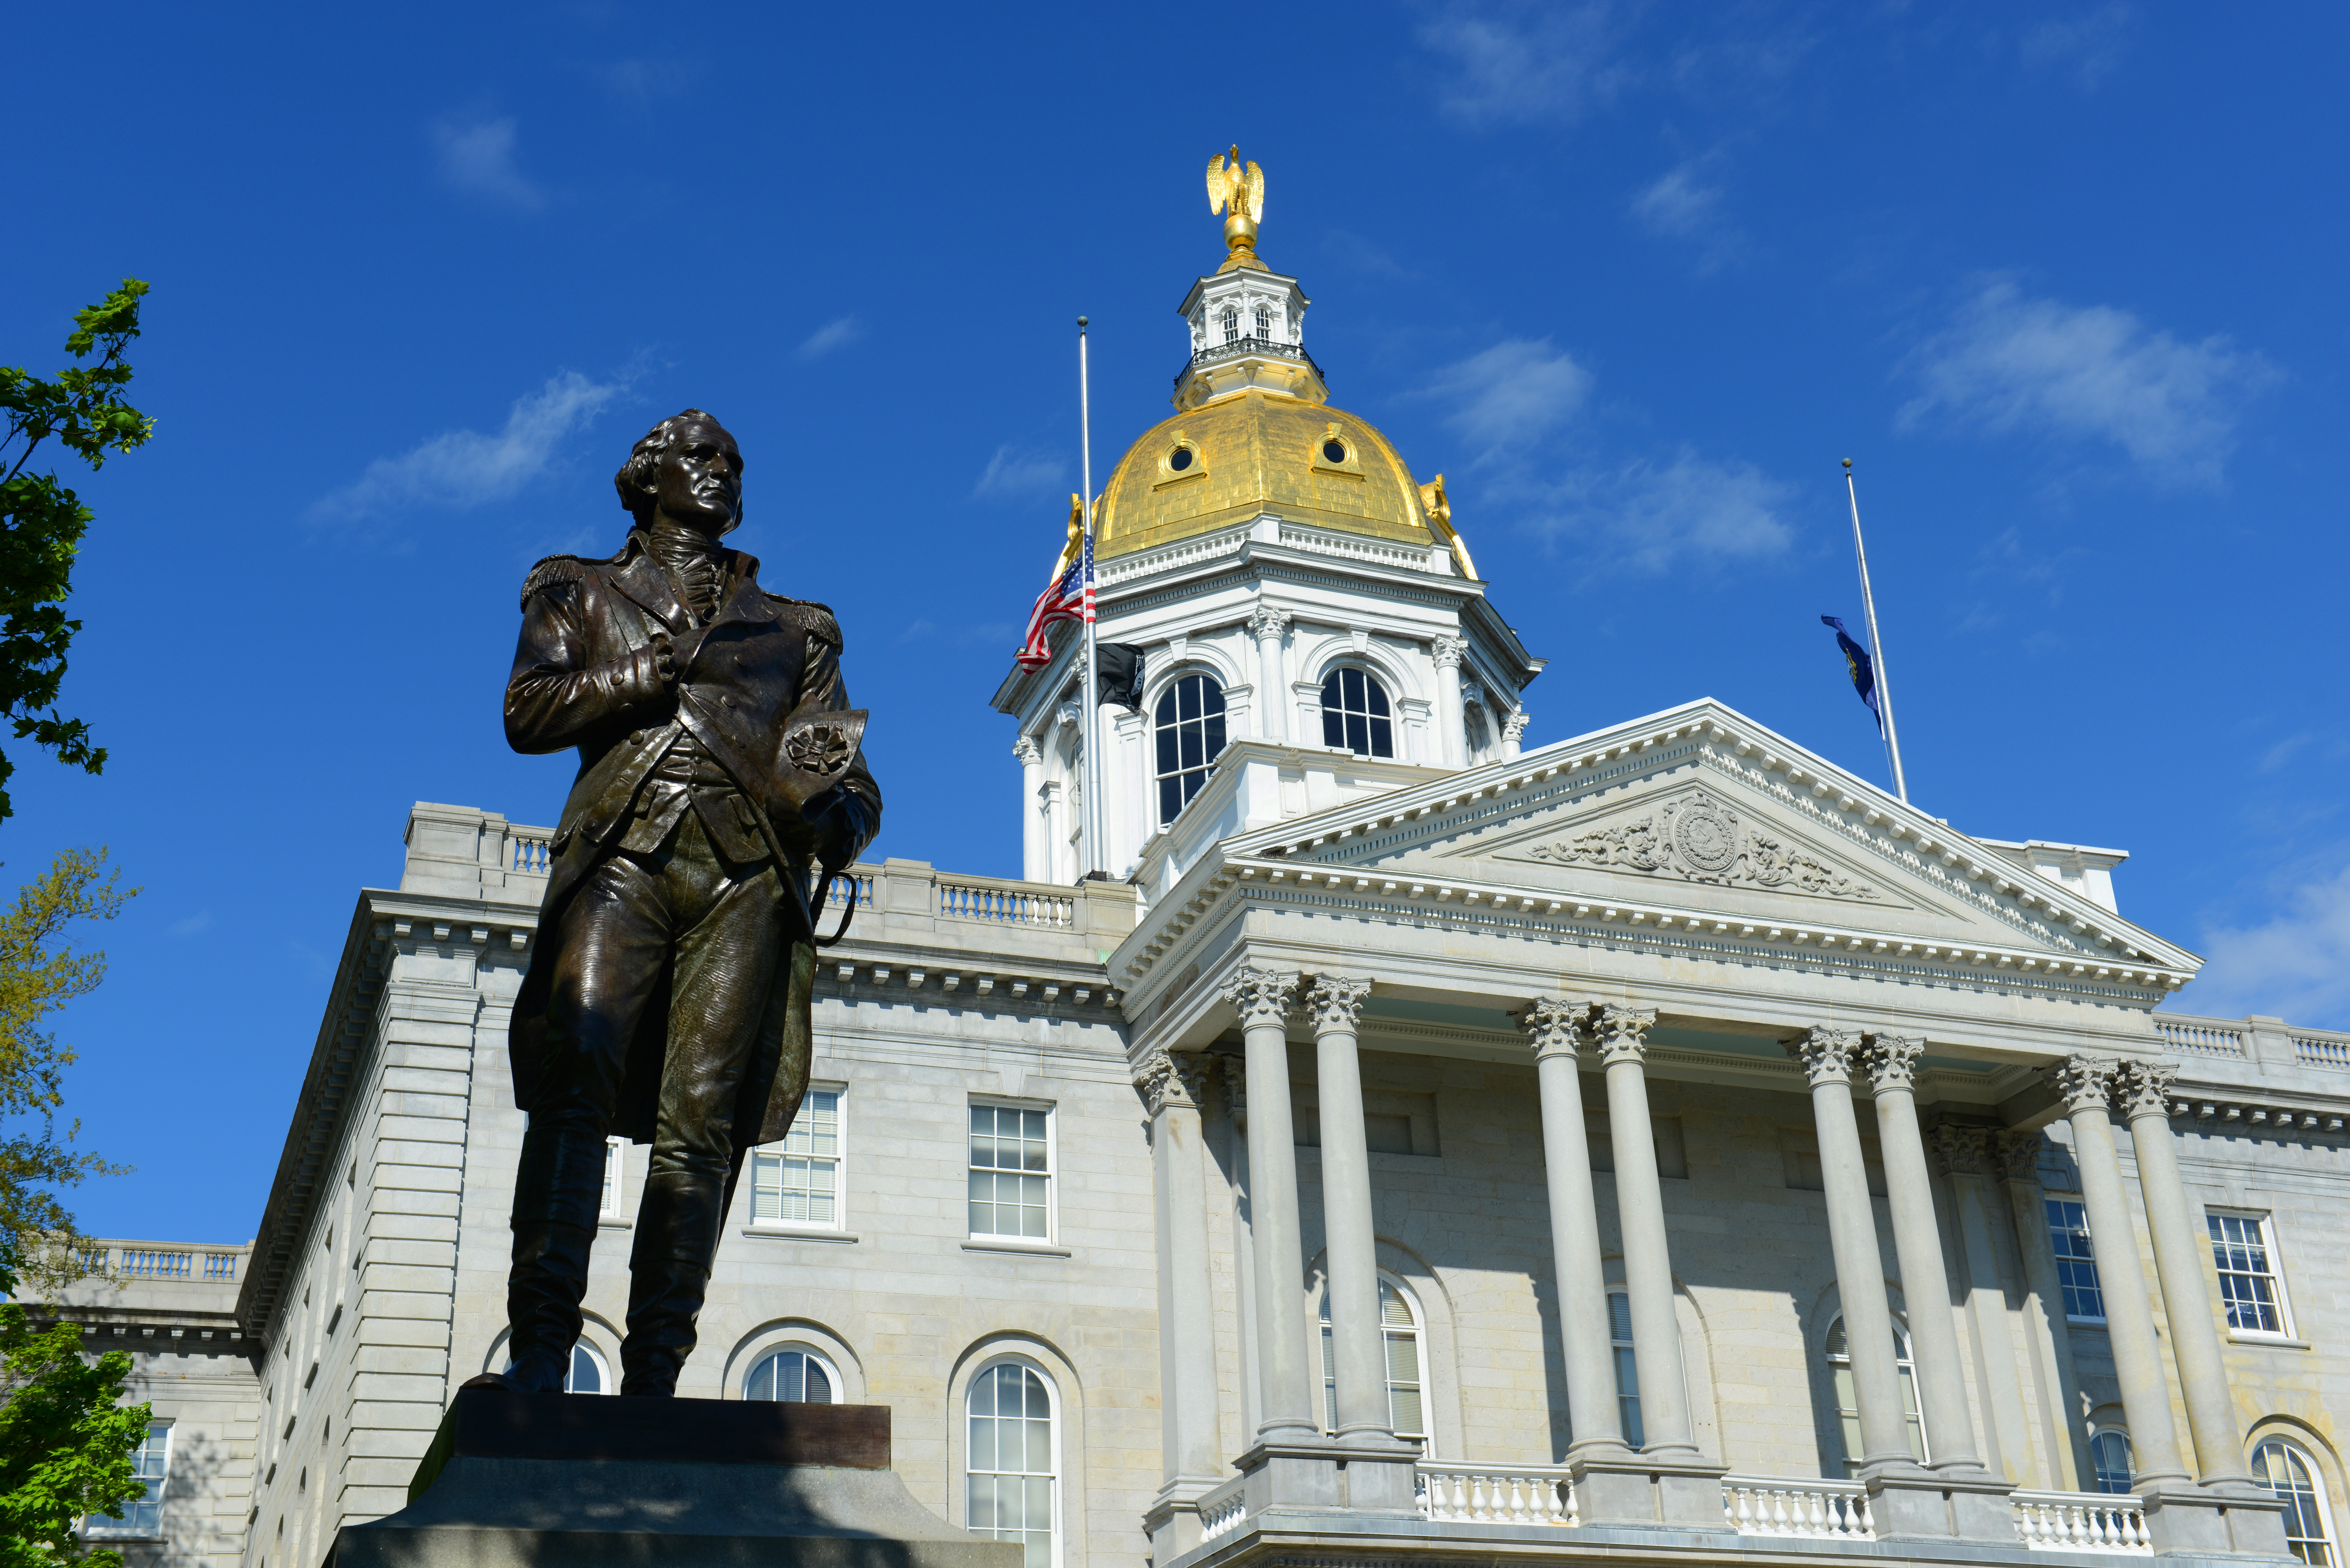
[1594, 1419]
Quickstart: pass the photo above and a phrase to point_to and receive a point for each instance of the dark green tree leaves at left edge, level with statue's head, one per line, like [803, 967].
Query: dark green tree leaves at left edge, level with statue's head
[43, 523]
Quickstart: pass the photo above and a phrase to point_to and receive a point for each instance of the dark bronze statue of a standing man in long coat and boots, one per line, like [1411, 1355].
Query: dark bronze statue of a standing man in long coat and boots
[669, 996]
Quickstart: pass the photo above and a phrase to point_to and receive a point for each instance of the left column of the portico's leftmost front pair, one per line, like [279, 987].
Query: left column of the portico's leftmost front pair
[1284, 1393]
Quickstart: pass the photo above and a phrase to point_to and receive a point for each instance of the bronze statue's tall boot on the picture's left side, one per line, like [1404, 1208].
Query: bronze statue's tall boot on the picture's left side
[558, 1193]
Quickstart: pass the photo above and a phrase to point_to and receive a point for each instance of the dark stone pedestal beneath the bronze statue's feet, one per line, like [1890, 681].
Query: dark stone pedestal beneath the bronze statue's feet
[556, 1480]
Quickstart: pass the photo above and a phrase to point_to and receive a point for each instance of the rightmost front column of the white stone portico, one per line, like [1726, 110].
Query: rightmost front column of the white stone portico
[2147, 1101]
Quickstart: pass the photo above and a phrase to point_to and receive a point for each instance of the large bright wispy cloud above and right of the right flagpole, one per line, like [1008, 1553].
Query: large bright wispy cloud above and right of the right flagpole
[2041, 366]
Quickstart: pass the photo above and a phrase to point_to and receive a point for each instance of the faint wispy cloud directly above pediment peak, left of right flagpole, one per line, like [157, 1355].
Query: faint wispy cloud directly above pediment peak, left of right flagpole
[1653, 516]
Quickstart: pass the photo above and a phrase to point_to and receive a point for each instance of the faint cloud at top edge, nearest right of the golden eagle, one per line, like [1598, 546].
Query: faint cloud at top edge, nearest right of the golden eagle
[1517, 65]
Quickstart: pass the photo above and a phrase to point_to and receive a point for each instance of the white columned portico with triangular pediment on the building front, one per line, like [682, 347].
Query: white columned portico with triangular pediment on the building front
[1677, 920]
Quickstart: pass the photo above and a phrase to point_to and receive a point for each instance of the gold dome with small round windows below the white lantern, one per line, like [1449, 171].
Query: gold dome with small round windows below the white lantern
[1258, 453]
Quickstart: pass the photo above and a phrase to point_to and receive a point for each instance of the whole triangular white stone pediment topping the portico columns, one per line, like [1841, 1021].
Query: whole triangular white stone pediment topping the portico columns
[1707, 826]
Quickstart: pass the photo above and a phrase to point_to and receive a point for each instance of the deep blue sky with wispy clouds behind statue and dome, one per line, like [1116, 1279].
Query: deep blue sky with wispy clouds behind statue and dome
[2064, 281]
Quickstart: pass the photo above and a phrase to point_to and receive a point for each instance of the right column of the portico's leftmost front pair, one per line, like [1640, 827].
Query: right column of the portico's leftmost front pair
[1357, 1346]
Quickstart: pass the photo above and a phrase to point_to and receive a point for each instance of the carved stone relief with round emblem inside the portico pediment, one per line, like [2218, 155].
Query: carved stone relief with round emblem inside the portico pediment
[1700, 838]
